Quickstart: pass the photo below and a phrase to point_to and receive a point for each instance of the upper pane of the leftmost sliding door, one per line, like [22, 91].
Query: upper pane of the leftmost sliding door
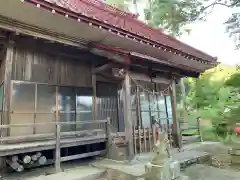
[23, 97]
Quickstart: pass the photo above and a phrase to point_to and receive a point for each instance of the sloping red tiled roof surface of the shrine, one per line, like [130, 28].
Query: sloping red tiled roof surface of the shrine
[126, 24]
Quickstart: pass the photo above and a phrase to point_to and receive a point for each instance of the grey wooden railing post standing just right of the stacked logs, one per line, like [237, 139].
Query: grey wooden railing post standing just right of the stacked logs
[58, 149]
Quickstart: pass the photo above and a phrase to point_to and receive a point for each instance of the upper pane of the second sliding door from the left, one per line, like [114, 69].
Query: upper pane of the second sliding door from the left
[46, 98]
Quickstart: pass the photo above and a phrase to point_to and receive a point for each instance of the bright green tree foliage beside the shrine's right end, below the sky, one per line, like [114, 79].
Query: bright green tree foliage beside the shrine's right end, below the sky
[215, 96]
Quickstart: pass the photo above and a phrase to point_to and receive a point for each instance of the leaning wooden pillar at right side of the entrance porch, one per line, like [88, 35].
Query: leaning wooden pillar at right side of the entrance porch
[176, 133]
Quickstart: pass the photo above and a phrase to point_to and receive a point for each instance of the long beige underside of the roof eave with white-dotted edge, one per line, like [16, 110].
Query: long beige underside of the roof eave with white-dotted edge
[82, 30]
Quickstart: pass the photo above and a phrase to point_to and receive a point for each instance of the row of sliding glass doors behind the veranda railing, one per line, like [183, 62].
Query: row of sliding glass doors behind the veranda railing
[42, 103]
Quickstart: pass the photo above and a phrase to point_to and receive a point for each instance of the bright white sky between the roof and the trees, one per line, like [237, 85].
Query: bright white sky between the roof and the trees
[211, 37]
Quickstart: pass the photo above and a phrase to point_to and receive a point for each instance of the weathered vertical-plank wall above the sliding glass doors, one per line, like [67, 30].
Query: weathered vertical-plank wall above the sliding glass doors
[36, 66]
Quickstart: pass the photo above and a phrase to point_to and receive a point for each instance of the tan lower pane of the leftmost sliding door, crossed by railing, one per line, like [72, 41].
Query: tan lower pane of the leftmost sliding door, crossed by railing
[21, 119]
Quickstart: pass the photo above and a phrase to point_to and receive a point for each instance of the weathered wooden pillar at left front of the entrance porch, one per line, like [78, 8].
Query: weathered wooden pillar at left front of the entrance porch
[127, 116]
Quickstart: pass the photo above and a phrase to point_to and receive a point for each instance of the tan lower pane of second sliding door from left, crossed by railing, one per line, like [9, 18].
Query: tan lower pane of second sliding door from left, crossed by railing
[45, 128]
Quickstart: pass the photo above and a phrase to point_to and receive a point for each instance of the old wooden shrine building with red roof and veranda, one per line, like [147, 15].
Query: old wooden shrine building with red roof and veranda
[82, 62]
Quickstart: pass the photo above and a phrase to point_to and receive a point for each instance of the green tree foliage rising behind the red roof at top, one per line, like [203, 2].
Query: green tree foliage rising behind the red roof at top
[173, 15]
